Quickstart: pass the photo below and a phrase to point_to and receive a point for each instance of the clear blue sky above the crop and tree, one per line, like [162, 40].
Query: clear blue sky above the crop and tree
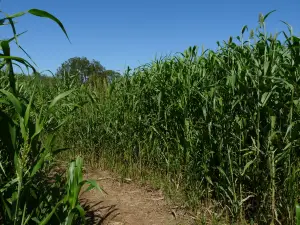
[122, 33]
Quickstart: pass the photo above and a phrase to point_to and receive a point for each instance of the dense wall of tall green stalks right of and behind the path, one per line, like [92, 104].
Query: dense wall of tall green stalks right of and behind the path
[221, 128]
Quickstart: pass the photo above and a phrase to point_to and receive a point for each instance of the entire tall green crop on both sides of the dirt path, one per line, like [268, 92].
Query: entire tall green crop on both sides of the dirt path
[214, 129]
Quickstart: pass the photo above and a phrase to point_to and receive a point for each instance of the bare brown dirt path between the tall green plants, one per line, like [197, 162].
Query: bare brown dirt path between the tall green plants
[127, 203]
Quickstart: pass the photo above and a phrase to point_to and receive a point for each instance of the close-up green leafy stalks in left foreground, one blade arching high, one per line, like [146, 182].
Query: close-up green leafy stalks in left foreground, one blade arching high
[31, 191]
